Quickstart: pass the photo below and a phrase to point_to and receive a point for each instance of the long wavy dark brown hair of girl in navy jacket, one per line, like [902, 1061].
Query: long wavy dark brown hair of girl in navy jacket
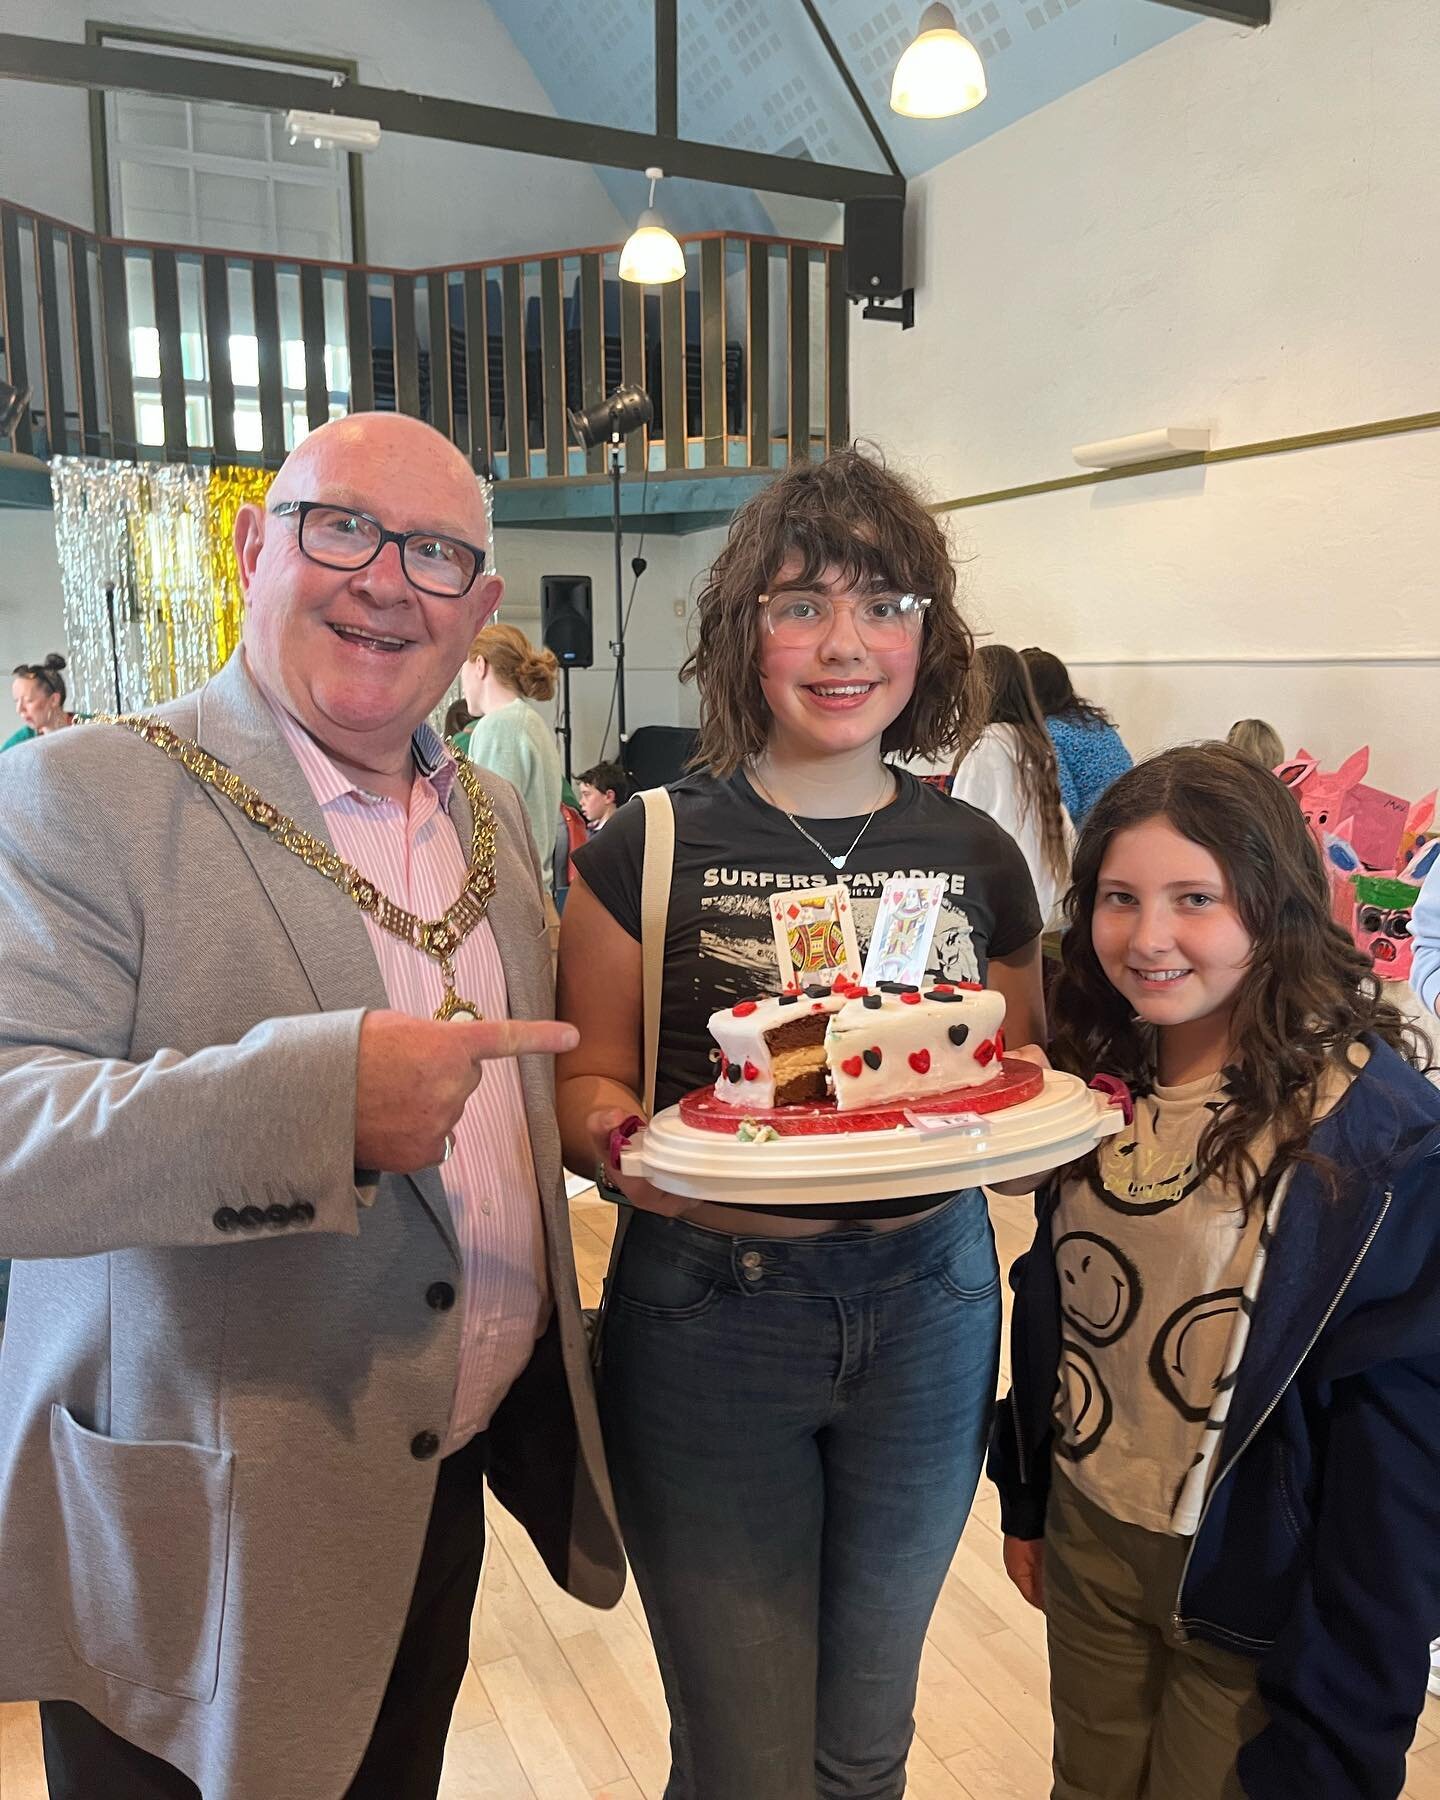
[1309, 994]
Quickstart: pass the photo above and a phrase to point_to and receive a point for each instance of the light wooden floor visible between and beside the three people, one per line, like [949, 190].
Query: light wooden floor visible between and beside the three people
[564, 1704]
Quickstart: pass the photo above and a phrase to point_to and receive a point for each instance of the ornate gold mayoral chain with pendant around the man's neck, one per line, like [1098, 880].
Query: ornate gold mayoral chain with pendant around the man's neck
[436, 939]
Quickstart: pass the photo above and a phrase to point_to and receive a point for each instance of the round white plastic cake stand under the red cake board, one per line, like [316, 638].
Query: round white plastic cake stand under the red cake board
[1061, 1124]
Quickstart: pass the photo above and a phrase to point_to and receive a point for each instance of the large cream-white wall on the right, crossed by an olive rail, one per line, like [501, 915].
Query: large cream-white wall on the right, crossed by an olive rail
[1239, 229]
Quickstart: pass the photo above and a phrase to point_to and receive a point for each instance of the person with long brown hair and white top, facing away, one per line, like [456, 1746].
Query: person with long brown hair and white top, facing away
[1011, 773]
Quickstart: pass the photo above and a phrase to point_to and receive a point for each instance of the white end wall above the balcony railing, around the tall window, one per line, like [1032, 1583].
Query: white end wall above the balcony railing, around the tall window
[426, 202]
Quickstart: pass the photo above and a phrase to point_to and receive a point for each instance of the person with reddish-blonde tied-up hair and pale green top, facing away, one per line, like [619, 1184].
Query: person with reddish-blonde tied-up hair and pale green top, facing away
[503, 672]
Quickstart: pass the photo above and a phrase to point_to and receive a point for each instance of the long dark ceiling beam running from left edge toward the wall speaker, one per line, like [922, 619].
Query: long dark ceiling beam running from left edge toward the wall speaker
[85, 66]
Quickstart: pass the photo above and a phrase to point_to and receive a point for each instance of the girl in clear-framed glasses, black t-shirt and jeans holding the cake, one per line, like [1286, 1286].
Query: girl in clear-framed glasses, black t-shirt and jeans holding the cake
[795, 1399]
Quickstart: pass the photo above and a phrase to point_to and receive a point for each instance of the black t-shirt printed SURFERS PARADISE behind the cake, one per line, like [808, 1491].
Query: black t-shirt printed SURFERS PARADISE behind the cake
[733, 852]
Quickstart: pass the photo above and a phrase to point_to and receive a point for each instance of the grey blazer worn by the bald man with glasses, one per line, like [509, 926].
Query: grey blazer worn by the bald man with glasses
[210, 1509]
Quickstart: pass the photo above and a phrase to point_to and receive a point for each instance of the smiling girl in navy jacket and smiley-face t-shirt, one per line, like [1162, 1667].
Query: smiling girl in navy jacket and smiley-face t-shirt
[1227, 1506]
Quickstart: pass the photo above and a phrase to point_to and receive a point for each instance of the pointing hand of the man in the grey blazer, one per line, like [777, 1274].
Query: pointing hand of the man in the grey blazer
[415, 1077]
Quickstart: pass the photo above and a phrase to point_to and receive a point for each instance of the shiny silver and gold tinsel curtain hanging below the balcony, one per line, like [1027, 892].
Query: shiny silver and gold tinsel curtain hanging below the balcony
[148, 575]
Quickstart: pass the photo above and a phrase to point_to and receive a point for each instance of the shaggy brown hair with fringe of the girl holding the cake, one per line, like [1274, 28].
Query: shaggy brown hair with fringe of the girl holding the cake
[856, 517]
